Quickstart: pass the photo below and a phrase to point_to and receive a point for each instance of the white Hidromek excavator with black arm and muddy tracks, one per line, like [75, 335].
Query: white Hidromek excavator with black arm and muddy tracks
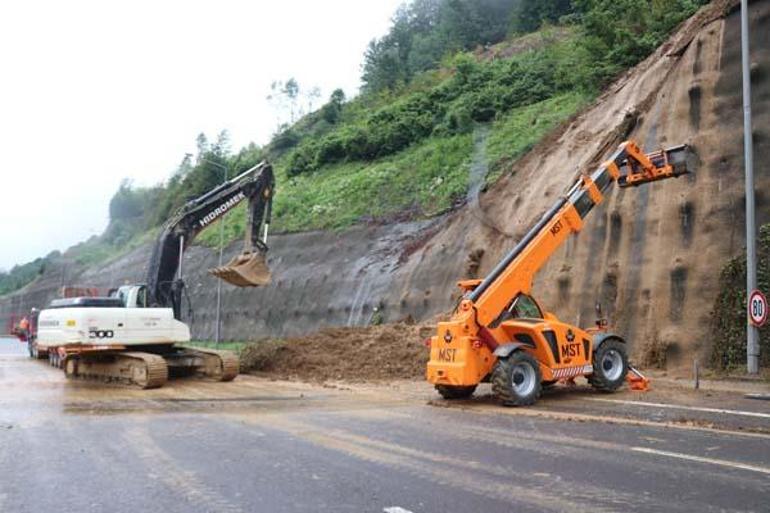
[134, 335]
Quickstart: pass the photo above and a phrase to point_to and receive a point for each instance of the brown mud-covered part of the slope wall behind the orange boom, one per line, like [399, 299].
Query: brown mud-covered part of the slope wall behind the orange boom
[650, 255]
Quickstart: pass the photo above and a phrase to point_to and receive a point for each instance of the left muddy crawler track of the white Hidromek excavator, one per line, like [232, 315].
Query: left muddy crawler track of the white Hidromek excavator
[144, 370]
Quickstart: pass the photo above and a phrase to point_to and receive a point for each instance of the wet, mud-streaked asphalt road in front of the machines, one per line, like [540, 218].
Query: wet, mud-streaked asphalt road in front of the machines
[256, 445]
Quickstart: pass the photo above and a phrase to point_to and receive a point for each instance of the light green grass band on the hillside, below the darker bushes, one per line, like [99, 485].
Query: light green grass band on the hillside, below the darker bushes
[422, 181]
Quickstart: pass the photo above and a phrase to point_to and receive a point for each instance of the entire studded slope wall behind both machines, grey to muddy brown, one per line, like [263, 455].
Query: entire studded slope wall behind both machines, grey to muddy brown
[651, 256]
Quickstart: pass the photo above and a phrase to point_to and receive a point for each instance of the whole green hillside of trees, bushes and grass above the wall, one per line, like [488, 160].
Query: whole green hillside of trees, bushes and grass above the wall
[404, 142]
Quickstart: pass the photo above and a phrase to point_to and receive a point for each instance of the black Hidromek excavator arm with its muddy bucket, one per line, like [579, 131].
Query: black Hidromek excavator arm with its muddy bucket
[164, 284]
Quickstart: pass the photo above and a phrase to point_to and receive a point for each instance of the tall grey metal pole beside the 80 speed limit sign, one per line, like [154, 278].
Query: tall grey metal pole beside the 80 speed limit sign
[752, 332]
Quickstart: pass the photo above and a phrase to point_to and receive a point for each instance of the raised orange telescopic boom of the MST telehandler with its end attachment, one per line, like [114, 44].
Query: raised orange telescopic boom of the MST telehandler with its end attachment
[628, 167]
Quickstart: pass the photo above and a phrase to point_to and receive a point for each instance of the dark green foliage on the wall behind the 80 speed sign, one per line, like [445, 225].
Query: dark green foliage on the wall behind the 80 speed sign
[728, 320]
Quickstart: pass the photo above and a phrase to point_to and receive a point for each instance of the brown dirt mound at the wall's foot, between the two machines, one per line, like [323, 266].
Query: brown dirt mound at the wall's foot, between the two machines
[374, 353]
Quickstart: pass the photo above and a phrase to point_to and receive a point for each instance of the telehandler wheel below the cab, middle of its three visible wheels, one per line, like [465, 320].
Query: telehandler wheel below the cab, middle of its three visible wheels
[516, 380]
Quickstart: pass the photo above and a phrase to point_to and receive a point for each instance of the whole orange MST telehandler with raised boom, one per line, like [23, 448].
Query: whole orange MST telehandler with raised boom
[499, 333]
